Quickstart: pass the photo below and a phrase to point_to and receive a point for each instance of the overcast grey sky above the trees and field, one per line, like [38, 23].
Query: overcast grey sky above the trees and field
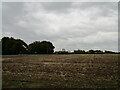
[78, 25]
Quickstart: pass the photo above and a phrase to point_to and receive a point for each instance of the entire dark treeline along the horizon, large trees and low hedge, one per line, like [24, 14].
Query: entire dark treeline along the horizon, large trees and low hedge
[11, 46]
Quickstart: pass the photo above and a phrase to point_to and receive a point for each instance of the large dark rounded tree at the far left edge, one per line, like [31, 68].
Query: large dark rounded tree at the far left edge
[13, 46]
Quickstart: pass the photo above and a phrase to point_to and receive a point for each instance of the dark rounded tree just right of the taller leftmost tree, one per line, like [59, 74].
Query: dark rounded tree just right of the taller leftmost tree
[44, 47]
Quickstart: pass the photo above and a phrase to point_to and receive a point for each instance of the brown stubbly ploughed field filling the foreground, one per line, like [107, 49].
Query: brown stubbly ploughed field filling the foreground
[60, 71]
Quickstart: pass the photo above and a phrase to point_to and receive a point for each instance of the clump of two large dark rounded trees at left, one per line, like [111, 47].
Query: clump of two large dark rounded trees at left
[12, 46]
